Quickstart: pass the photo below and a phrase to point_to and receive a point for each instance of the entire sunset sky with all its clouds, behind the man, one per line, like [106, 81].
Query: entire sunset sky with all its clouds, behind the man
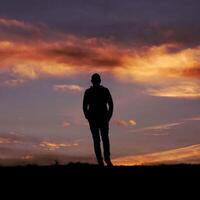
[147, 53]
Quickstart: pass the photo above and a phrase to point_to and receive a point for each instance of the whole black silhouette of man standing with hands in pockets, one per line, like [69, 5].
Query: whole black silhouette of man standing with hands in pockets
[98, 110]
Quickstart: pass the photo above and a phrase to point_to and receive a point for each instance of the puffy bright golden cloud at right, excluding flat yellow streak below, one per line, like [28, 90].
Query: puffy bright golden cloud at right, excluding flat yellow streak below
[157, 64]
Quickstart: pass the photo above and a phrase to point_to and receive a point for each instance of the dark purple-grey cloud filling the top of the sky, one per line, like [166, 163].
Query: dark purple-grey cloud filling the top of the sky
[130, 22]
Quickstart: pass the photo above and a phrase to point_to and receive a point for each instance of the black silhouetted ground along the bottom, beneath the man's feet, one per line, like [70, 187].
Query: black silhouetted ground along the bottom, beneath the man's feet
[85, 179]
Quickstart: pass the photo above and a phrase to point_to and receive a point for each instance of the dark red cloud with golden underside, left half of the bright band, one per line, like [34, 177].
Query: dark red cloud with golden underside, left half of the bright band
[60, 58]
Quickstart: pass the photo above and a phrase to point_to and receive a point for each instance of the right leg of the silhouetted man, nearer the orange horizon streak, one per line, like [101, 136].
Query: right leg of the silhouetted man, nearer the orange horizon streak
[106, 143]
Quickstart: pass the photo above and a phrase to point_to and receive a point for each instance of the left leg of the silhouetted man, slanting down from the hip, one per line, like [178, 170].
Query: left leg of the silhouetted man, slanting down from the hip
[96, 140]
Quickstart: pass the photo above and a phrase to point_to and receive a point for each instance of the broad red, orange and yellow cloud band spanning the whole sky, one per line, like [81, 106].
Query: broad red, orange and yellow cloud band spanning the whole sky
[166, 69]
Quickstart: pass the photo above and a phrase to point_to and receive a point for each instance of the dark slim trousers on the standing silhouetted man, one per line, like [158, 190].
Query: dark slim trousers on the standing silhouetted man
[100, 131]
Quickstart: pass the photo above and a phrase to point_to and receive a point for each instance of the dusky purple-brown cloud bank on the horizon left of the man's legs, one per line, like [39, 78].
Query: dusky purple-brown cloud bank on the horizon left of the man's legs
[22, 149]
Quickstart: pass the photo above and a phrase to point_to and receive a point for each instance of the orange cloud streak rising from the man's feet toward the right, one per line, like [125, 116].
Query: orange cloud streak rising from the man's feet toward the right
[188, 154]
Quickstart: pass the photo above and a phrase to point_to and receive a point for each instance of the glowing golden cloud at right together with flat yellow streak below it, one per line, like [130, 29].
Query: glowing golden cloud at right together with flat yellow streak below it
[163, 72]
